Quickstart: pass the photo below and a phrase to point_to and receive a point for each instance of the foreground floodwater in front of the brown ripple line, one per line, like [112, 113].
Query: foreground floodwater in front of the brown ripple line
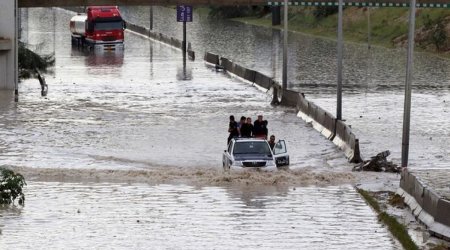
[118, 216]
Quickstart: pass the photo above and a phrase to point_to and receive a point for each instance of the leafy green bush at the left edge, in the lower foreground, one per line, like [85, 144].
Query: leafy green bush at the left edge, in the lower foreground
[11, 185]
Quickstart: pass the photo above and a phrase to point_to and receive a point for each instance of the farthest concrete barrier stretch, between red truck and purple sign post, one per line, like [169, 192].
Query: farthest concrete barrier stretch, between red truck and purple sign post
[174, 42]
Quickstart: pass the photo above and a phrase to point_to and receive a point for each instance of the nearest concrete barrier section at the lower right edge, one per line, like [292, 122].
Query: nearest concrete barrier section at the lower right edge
[429, 207]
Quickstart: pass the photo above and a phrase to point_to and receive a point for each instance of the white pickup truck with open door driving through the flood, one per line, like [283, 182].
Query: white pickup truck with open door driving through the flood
[254, 153]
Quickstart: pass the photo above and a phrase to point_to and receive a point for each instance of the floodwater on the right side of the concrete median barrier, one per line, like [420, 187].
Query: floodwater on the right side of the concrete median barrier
[373, 81]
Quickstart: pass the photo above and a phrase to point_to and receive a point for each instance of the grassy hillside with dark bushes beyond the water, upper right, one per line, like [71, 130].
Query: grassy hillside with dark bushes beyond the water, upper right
[389, 26]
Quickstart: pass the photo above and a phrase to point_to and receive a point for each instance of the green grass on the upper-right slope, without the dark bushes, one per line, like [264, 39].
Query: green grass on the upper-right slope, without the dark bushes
[386, 24]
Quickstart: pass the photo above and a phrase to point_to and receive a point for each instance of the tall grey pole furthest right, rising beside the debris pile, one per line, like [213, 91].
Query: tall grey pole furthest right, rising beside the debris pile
[409, 69]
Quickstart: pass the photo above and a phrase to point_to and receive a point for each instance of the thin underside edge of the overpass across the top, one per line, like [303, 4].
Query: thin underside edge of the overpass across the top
[380, 3]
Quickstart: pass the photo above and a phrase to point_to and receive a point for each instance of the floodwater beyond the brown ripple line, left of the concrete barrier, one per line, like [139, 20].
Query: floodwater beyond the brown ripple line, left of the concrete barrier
[135, 109]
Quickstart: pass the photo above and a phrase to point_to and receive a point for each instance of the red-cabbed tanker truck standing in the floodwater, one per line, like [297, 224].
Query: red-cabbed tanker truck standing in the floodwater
[101, 27]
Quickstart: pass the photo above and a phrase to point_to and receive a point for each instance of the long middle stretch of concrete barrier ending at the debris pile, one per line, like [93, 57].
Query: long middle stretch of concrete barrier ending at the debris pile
[336, 131]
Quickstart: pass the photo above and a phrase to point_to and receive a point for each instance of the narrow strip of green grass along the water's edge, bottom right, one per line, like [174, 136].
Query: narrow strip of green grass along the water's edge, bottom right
[398, 230]
